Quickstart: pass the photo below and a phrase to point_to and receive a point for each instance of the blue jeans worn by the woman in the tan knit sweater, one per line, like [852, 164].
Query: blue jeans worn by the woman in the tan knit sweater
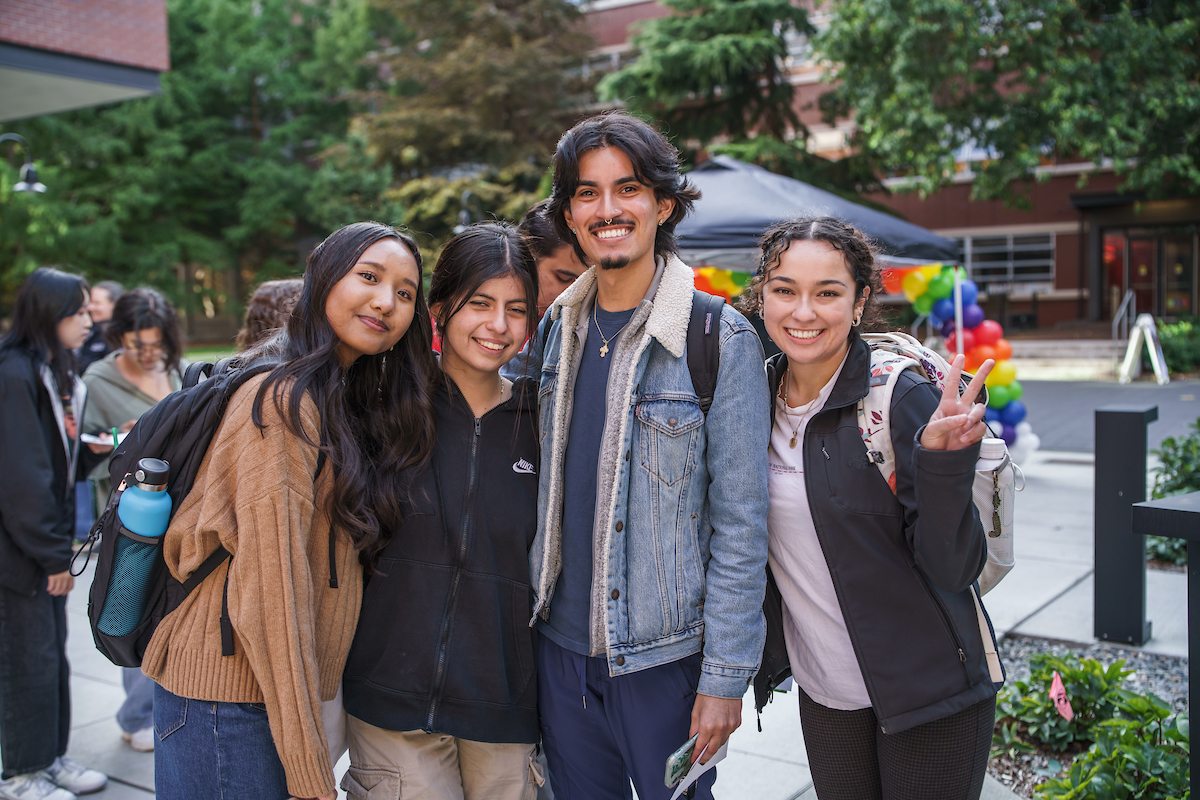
[214, 751]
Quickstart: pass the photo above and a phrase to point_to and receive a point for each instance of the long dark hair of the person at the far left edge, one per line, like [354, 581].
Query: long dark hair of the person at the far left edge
[45, 299]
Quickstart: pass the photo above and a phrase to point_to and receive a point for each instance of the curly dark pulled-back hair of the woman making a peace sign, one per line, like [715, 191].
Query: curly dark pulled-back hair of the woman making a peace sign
[856, 248]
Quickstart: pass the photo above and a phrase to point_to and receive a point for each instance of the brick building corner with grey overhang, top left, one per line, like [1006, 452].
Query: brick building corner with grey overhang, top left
[58, 56]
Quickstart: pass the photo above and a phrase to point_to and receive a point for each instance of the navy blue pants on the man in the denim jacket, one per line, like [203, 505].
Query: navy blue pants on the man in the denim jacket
[602, 732]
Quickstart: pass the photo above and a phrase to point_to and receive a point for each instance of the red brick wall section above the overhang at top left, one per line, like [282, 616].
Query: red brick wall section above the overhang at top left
[133, 33]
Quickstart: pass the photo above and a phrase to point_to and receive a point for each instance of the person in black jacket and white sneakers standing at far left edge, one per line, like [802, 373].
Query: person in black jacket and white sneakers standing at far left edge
[40, 396]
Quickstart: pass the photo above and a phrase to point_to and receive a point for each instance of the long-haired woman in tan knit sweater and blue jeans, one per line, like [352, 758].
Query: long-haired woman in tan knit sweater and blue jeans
[308, 467]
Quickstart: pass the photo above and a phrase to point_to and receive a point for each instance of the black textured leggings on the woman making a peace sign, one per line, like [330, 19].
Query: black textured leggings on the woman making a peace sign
[853, 760]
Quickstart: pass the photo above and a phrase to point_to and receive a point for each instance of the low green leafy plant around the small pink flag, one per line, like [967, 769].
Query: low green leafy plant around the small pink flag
[1094, 690]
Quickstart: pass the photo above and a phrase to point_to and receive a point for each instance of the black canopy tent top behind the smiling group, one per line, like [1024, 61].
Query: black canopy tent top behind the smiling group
[740, 201]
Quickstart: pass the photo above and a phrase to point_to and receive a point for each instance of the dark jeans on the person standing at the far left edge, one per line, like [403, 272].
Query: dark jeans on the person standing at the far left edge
[35, 681]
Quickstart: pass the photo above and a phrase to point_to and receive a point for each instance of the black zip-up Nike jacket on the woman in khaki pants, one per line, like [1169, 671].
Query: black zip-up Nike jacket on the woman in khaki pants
[445, 643]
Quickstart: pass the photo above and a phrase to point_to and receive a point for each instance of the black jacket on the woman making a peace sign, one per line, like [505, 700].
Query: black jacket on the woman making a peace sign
[902, 564]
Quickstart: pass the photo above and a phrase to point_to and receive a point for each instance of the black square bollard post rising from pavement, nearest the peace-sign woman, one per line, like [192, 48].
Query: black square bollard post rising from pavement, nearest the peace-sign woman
[1120, 594]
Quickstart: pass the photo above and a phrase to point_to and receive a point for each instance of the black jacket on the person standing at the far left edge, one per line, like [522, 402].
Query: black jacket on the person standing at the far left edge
[37, 494]
